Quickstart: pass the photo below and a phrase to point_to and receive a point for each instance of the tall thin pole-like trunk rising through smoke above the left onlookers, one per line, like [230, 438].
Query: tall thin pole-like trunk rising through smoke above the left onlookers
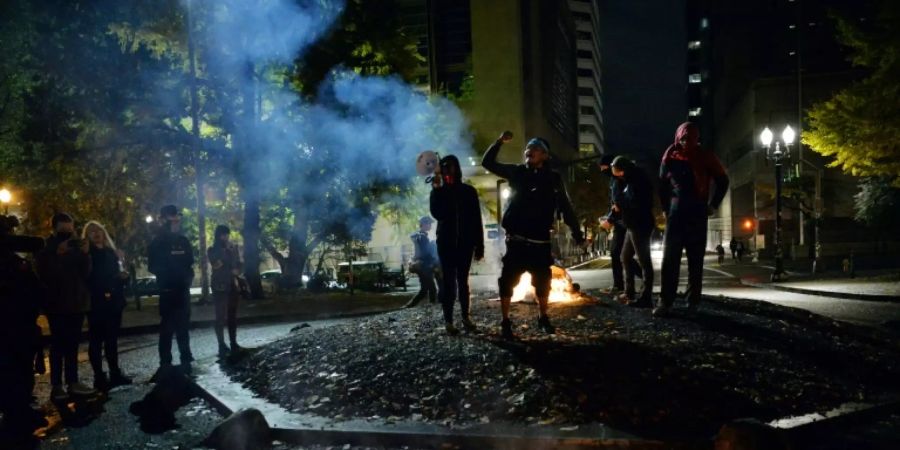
[199, 174]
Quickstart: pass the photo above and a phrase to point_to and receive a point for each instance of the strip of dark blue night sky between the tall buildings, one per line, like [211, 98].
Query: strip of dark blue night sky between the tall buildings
[643, 50]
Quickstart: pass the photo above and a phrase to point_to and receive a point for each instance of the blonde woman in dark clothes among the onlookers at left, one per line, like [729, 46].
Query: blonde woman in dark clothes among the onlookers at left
[107, 285]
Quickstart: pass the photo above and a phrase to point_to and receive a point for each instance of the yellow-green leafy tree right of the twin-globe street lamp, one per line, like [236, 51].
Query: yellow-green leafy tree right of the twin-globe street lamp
[860, 125]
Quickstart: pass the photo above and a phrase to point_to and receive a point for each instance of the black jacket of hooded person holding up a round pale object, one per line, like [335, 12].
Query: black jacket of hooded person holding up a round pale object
[458, 213]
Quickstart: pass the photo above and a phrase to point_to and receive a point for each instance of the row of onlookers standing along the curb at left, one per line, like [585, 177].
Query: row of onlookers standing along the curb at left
[82, 276]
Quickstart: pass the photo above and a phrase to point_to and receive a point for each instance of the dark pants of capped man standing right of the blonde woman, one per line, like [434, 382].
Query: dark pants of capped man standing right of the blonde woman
[175, 312]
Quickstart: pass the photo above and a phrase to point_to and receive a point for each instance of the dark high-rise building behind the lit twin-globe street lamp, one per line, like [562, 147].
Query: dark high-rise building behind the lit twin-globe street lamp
[752, 65]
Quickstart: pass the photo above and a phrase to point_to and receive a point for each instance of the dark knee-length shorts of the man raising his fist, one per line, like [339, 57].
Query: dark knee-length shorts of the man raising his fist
[522, 257]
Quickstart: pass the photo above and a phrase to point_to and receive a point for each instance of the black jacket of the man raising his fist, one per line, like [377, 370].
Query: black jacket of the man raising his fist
[537, 194]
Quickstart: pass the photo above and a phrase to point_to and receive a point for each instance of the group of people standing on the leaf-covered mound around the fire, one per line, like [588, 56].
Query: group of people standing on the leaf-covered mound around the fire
[691, 185]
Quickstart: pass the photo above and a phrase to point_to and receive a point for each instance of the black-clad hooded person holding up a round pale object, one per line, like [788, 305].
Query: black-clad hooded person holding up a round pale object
[460, 237]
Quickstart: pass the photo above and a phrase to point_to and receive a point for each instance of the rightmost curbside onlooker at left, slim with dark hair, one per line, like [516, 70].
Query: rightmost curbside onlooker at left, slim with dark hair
[226, 268]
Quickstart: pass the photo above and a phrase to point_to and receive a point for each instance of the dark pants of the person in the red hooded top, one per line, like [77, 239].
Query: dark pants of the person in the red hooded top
[683, 233]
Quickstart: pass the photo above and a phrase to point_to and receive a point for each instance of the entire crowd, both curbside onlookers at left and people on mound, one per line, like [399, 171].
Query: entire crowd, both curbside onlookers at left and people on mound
[83, 276]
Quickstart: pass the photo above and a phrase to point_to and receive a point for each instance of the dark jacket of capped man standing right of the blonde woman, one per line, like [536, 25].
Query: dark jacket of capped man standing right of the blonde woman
[171, 259]
